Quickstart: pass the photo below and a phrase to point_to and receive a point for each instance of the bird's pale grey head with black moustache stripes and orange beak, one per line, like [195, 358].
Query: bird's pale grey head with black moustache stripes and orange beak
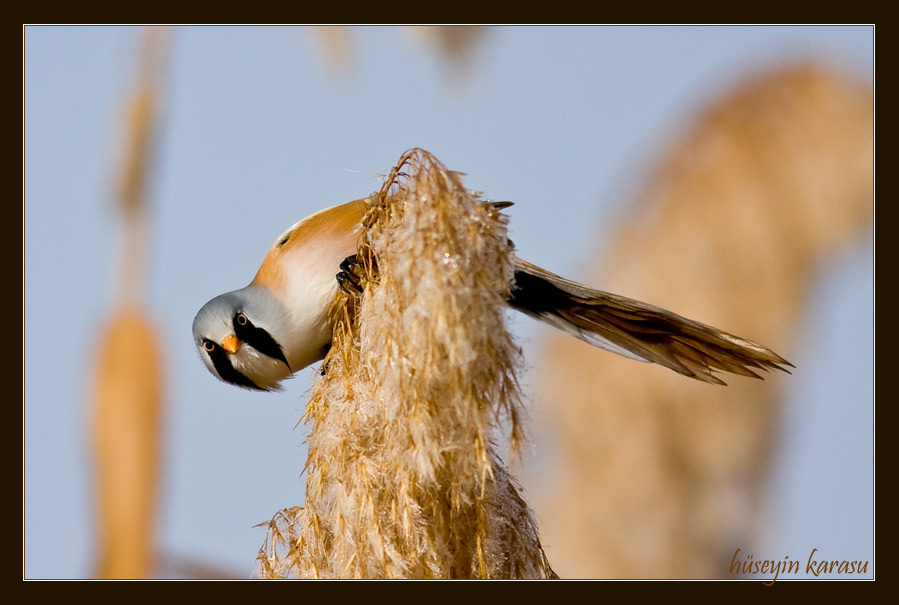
[234, 332]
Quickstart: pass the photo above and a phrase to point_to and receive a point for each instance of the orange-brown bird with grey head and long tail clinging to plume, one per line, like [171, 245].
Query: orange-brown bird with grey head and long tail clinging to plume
[259, 335]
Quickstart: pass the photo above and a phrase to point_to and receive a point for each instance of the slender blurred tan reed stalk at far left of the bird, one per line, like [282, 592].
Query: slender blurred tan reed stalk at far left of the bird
[127, 386]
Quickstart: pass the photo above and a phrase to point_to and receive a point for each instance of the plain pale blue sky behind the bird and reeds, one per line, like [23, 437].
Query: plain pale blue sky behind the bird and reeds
[258, 133]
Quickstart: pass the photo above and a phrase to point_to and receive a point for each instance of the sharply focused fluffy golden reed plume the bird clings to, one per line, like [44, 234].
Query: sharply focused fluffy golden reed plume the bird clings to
[404, 479]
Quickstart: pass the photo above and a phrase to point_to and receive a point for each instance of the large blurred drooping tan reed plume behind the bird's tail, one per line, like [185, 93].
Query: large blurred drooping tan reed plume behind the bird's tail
[661, 477]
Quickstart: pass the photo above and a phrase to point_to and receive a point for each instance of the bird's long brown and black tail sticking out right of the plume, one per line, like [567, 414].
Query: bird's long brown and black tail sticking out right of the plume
[635, 329]
